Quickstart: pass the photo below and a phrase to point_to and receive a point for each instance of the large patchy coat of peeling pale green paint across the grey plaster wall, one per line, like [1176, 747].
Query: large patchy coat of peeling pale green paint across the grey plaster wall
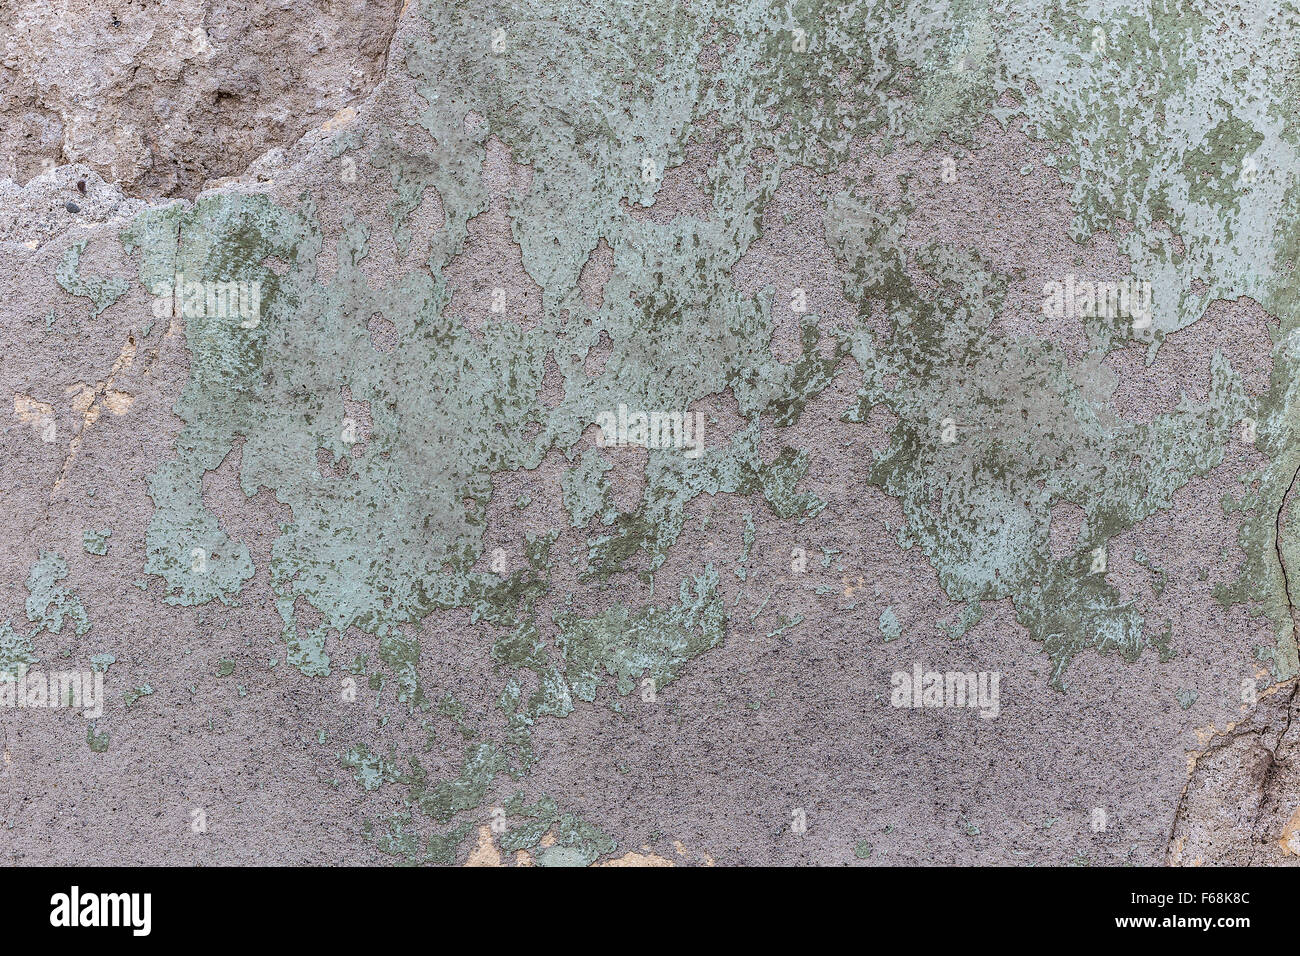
[1142, 133]
